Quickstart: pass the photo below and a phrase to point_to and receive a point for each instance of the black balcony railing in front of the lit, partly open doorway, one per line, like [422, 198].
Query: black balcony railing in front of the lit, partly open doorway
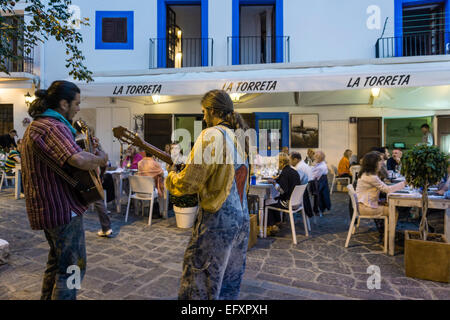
[194, 52]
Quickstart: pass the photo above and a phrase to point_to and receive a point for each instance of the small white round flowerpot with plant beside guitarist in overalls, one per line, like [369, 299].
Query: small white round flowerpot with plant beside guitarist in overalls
[185, 208]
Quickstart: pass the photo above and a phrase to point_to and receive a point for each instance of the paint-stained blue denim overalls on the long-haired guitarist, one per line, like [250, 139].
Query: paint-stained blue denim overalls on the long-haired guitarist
[214, 261]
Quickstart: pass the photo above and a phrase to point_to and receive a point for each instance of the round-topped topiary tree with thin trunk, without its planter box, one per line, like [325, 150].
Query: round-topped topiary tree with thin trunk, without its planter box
[422, 167]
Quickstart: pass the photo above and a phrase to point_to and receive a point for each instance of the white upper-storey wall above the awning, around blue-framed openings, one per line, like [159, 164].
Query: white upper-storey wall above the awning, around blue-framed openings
[318, 30]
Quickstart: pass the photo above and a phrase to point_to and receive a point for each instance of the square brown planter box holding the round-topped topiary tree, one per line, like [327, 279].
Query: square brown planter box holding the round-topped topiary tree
[427, 260]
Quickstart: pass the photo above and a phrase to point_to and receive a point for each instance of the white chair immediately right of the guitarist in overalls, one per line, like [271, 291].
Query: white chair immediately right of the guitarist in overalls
[296, 202]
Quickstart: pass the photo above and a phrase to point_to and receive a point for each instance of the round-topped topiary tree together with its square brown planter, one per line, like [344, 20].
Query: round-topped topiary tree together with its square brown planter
[427, 255]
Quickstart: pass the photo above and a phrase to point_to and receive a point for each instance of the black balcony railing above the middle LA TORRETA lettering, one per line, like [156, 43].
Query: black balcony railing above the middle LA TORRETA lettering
[257, 49]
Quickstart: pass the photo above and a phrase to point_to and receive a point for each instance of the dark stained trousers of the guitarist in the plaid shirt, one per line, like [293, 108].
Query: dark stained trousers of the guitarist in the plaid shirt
[67, 248]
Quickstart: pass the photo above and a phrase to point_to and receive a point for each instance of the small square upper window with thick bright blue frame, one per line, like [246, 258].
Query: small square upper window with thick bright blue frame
[114, 30]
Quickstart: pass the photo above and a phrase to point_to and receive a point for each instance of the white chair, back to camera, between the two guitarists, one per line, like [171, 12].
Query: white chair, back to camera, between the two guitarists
[142, 188]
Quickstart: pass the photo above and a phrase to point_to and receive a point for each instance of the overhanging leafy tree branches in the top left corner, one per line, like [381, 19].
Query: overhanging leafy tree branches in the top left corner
[18, 36]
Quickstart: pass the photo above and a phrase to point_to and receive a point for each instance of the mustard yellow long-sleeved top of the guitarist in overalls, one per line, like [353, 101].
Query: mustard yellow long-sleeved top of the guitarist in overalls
[207, 171]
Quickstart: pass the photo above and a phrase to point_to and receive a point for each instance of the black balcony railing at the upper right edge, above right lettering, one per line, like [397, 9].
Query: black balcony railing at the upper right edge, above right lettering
[417, 44]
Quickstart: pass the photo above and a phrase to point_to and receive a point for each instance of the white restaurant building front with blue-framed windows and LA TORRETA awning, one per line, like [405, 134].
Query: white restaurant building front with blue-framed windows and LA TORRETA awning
[287, 60]
